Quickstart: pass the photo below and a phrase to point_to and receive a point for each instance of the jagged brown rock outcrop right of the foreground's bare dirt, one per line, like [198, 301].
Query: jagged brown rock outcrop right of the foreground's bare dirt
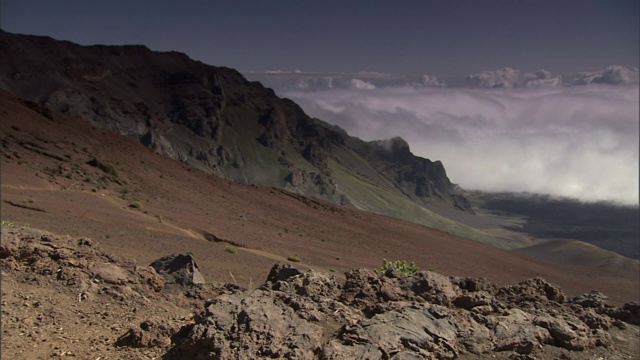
[427, 315]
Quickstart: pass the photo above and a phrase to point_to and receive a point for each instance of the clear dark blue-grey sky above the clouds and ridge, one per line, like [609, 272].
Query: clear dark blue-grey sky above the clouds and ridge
[453, 37]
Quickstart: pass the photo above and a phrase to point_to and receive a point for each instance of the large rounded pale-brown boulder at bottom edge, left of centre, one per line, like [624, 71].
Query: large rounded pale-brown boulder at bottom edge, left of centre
[253, 325]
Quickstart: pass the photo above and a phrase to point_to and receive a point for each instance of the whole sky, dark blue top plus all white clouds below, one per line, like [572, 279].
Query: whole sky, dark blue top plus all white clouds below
[540, 132]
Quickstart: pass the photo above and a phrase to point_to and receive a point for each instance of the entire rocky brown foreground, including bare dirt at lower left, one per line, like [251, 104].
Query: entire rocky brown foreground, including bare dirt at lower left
[293, 315]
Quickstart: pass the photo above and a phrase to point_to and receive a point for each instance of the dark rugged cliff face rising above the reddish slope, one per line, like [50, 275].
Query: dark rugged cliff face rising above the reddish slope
[213, 119]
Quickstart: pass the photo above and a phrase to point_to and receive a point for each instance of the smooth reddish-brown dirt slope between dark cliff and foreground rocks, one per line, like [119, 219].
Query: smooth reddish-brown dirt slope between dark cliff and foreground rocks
[47, 182]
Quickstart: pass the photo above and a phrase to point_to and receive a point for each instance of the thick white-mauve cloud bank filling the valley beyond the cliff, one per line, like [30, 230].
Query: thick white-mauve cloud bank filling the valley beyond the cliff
[579, 142]
